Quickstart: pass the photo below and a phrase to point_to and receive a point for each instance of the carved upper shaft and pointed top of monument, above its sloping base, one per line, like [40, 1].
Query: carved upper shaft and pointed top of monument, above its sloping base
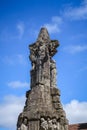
[43, 67]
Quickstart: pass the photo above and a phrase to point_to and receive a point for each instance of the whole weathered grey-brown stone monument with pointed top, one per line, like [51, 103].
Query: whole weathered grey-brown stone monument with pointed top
[43, 109]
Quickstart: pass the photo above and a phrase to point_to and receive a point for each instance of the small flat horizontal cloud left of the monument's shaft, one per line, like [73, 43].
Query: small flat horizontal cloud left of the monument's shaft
[18, 84]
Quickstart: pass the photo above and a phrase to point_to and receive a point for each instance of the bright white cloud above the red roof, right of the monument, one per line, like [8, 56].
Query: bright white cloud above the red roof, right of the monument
[76, 112]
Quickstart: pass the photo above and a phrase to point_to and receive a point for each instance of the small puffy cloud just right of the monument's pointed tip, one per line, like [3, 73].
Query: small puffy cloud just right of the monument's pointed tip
[54, 25]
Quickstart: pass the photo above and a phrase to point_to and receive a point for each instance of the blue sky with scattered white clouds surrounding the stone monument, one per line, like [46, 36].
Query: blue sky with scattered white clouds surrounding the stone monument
[20, 23]
